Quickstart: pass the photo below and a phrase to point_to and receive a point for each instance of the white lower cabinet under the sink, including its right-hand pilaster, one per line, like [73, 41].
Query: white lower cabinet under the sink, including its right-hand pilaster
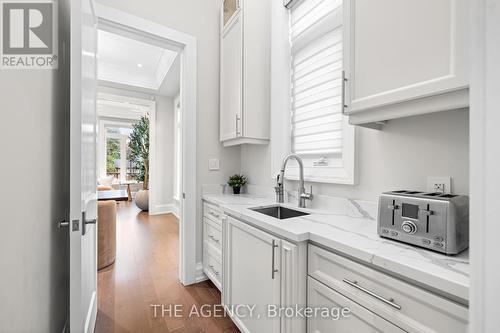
[260, 274]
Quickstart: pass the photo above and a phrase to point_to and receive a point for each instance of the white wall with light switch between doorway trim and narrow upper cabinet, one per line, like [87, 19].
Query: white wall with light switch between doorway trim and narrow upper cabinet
[199, 18]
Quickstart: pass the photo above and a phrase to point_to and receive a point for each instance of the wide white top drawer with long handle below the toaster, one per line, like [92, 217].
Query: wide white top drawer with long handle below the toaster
[409, 307]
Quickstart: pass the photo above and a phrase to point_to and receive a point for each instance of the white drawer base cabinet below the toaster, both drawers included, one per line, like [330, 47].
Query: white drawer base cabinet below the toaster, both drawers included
[376, 295]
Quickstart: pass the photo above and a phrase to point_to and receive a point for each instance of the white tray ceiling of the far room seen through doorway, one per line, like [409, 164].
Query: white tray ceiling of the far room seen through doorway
[128, 63]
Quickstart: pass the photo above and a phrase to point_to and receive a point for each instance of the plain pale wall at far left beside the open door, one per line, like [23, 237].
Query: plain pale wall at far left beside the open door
[34, 137]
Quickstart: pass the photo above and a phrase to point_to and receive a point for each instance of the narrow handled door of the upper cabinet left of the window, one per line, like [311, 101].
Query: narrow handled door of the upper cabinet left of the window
[231, 79]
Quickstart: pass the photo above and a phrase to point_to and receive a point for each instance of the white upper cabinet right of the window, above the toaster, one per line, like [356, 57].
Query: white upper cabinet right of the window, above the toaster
[404, 58]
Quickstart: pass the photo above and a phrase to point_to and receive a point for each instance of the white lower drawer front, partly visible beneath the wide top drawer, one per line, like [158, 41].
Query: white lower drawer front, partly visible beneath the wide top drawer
[360, 320]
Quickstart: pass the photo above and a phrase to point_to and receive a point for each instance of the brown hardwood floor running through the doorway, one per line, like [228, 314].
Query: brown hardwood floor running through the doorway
[145, 277]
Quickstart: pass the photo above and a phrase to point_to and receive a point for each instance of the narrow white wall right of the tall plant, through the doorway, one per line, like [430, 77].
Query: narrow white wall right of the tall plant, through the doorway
[164, 182]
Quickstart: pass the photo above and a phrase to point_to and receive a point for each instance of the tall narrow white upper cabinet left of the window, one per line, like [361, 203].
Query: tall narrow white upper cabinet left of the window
[245, 72]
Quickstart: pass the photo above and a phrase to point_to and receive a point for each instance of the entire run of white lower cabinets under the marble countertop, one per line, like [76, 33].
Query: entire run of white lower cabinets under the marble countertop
[264, 278]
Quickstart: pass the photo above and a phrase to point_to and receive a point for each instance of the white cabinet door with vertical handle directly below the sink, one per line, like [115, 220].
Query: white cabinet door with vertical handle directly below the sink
[251, 276]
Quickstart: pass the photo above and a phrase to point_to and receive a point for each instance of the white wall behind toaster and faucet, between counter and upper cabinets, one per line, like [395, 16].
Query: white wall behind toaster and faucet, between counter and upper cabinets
[400, 156]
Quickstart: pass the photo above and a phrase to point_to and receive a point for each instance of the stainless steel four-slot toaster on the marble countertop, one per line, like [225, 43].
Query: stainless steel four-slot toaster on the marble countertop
[435, 221]
